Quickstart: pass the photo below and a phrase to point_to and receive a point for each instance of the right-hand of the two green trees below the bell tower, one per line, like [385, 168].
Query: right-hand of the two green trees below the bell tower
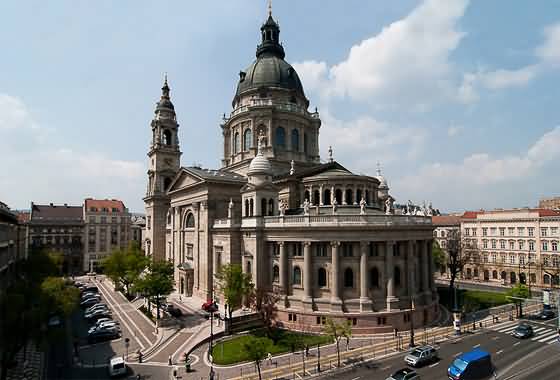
[157, 284]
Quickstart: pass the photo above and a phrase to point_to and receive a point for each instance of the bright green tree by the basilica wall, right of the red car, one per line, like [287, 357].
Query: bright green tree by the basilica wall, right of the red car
[234, 285]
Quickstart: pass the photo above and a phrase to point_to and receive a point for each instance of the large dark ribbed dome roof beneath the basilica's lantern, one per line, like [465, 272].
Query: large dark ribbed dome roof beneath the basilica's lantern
[269, 71]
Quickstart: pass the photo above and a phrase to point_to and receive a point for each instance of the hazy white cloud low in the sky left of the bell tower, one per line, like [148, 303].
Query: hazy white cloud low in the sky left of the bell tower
[35, 169]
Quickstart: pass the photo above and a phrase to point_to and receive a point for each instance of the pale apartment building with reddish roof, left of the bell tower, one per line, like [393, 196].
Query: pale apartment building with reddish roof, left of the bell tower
[108, 227]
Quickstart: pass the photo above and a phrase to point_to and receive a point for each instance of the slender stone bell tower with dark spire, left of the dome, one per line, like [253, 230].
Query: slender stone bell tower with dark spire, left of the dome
[163, 164]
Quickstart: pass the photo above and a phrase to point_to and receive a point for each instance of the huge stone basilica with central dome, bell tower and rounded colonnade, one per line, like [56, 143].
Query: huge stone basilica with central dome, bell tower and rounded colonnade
[326, 240]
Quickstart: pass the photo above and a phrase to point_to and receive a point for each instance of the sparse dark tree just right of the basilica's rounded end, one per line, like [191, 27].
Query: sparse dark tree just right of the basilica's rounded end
[459, 252]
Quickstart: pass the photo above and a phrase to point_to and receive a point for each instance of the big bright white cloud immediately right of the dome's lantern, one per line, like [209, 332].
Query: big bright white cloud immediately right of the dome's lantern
[408, 58]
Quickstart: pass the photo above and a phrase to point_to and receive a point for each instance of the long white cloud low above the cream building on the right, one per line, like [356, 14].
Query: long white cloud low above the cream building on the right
[480, 172]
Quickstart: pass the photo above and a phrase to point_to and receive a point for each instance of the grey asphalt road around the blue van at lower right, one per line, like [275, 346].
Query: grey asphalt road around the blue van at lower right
[514, 359]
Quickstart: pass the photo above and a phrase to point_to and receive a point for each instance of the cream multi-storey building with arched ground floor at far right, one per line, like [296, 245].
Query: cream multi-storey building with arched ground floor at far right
[517, 245]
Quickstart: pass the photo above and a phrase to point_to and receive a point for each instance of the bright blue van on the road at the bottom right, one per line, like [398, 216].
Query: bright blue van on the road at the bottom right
[475, 364]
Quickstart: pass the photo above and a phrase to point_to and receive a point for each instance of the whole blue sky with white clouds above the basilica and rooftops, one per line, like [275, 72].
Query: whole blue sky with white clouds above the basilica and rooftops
[457, 100]
